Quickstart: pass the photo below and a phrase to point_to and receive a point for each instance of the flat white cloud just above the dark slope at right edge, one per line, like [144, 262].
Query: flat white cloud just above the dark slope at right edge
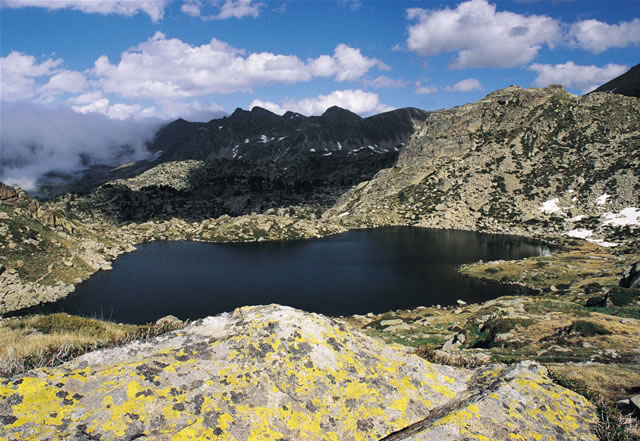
[572, 75]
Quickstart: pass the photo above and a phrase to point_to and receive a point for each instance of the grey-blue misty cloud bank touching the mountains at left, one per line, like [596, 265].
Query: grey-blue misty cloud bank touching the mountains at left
[64, 141]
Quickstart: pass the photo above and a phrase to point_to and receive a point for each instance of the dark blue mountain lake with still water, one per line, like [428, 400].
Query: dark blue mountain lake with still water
[351, 273]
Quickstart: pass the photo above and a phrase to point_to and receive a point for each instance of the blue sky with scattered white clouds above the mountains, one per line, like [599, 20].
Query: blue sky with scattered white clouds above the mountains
[135, 59]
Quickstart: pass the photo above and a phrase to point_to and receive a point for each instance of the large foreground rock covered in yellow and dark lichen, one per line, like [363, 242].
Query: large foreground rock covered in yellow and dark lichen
[273, 372]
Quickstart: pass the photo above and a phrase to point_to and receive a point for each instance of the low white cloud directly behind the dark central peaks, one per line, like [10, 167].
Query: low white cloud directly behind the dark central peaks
[358, 101]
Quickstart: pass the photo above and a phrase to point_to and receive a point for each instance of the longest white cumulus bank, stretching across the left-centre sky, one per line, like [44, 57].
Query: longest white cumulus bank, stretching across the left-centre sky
[161, 68]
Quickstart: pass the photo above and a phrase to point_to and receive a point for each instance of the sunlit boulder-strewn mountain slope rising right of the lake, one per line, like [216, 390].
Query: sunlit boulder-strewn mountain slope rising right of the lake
[535, 161]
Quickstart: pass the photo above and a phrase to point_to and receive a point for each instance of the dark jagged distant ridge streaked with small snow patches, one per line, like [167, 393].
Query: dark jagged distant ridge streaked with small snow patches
[261, 135]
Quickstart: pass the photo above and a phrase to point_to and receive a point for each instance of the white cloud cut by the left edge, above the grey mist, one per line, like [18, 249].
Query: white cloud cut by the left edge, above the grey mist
[18, 73]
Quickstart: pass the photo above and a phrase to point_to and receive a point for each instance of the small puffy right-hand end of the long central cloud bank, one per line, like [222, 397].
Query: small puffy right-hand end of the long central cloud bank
[347, 64]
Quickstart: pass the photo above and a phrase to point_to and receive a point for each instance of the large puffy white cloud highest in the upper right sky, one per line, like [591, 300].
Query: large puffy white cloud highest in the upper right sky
[480, 36]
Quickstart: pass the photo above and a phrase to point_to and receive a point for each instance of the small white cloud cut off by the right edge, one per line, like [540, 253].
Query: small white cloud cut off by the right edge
[596, 36]
